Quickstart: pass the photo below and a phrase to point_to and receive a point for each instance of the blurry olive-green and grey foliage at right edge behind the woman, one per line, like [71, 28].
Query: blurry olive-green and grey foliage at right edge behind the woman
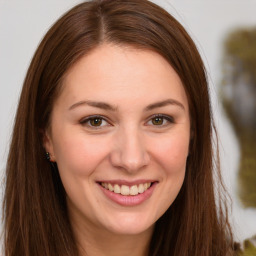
[239, 66]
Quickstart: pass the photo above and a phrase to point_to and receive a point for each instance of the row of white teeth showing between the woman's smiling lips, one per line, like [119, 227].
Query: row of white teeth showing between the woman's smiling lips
[127, 190]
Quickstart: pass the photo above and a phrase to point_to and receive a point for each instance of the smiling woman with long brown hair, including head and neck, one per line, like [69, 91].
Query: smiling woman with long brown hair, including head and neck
[116, 98]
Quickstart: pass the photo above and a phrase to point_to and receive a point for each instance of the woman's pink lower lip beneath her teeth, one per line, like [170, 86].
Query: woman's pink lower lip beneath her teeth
[129, 200]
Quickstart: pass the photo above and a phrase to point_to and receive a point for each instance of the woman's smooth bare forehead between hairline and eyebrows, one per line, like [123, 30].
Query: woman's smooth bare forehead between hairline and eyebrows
[120, 73]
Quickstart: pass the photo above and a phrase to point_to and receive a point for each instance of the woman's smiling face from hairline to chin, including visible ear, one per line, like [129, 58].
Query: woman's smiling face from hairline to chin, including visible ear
[120, 133]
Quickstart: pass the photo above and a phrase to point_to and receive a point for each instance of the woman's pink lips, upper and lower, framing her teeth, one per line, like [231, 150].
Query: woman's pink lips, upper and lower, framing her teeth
[128, 200]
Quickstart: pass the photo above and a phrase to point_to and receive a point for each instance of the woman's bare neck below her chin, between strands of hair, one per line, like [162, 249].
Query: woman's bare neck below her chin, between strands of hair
[93, 241]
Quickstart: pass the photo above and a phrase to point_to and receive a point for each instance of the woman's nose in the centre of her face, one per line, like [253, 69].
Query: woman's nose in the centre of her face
[129, 151]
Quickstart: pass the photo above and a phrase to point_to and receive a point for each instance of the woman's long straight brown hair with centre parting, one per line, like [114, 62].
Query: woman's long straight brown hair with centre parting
[35, 214]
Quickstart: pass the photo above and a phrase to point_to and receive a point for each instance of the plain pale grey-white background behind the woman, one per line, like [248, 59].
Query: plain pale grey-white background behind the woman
[23, 24]
